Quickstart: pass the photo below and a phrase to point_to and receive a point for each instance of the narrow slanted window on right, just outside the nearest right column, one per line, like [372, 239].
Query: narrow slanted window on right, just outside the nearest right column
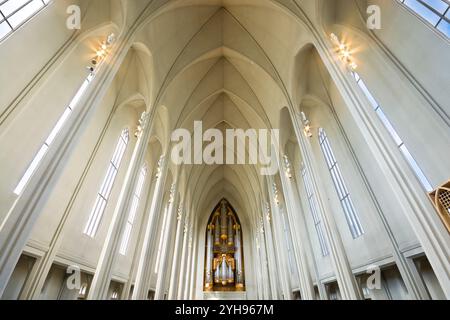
[398, 141]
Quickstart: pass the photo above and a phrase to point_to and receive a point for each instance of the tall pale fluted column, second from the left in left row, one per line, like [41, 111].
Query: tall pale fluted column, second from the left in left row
[103, 273]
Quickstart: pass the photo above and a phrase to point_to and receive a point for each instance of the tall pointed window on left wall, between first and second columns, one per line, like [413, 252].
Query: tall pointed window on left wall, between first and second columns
[105, 190]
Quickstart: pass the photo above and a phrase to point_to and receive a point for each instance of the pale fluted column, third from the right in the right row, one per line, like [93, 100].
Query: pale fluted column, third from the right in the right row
[291, 202]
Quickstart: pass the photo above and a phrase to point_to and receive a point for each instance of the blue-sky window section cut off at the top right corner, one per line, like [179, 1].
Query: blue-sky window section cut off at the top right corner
[436, 12]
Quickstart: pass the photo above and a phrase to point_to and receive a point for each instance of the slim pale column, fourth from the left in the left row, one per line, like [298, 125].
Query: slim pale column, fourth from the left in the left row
[161, 279]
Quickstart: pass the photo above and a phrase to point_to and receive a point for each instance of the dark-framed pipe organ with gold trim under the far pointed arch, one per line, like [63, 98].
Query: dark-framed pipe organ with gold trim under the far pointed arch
[224, 264]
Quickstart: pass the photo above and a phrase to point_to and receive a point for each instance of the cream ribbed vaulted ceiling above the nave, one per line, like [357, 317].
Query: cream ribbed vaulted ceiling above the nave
[230, 64]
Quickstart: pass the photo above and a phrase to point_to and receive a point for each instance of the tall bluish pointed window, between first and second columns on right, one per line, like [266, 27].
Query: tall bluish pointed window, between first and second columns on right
[340, 186]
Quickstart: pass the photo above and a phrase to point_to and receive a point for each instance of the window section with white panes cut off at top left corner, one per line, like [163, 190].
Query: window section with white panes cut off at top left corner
[14, 13]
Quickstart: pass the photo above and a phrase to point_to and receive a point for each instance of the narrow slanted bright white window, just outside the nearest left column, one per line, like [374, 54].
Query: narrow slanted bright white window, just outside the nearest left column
[52, 136]
